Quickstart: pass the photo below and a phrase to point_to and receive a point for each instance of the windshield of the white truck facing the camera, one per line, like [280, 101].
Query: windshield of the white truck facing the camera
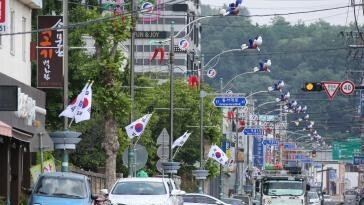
[283, 188]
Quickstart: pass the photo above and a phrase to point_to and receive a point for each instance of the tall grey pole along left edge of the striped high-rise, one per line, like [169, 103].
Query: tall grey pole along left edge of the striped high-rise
[131, 151]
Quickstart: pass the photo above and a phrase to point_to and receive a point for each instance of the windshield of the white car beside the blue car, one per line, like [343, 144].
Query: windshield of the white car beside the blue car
[139, 188]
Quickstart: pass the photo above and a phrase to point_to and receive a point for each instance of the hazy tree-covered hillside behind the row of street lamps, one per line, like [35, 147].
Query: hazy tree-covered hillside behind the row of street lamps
[299, 53]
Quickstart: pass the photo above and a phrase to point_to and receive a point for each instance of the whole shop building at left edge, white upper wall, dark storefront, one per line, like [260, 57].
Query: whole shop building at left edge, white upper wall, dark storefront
[22, 107]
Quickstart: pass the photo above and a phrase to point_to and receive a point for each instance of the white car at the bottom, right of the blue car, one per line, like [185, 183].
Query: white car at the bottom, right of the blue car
[145, 191]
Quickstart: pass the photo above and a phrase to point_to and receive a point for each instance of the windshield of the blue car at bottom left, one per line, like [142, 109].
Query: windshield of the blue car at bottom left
[61, 187]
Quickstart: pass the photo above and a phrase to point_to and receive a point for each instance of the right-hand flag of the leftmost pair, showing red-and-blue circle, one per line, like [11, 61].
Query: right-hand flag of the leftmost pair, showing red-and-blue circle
[84, 111]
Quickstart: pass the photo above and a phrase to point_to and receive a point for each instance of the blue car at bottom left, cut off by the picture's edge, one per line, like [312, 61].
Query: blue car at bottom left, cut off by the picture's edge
[59, 188]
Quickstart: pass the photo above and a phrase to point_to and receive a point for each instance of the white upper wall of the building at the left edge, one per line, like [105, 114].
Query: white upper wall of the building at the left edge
[16, 64]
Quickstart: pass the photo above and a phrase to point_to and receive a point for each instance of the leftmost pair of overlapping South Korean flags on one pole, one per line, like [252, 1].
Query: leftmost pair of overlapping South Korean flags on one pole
[80, 108]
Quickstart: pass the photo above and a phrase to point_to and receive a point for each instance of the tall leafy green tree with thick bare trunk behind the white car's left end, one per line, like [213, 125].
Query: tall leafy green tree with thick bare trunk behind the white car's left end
[104, 66]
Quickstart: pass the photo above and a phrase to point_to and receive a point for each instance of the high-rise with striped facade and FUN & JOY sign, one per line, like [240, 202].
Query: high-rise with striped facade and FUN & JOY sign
[154, 27]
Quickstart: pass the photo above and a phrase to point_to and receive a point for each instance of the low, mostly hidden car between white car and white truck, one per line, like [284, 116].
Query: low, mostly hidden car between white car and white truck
[201, 199]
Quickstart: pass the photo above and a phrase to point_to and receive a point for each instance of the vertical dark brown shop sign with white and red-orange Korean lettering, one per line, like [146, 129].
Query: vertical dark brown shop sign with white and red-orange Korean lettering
[50, 52]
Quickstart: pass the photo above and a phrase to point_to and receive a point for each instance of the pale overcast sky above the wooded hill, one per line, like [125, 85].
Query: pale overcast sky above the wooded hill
[341, 16]
